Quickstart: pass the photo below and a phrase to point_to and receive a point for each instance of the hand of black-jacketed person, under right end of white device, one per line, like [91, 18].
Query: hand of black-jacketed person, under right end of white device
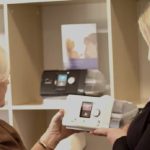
[112, 134]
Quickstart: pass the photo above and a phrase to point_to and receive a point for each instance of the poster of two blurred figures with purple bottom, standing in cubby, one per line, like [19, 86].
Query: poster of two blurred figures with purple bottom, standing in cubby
[79, 46]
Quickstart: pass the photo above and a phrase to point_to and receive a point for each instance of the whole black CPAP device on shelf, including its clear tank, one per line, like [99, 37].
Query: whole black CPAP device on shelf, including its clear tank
[77, 82]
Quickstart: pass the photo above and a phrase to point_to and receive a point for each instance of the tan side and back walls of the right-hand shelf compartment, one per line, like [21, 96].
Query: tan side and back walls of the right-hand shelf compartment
[131, 66]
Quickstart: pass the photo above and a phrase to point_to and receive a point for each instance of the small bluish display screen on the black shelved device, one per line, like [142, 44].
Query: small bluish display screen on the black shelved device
[62, 80]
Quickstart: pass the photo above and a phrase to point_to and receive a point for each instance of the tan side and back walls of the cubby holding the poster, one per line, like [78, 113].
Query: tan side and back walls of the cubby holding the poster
[41, 23]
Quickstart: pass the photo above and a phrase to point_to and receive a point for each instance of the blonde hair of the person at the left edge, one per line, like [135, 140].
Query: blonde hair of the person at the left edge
[4, 65]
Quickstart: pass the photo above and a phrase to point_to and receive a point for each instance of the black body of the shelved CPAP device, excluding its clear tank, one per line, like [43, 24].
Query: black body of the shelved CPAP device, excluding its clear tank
[63, 82]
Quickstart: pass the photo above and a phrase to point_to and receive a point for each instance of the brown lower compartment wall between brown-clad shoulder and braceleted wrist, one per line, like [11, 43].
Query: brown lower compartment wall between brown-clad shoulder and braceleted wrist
[31, 124]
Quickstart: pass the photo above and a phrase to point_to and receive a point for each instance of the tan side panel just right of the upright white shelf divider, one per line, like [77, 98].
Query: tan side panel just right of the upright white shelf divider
[125, 50]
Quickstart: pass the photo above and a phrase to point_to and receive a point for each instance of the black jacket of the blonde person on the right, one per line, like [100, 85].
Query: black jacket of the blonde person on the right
[138, 136]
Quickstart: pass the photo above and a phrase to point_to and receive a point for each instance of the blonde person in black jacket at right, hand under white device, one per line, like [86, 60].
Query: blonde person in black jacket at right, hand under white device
[137, 136]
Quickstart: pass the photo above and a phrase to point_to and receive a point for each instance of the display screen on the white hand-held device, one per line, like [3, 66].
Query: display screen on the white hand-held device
[86, 109]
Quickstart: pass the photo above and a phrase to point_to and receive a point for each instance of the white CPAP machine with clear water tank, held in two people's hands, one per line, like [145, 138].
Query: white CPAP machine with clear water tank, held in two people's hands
[86, 113]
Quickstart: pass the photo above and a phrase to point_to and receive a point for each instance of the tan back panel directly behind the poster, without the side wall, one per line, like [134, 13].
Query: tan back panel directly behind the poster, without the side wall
[72, 14]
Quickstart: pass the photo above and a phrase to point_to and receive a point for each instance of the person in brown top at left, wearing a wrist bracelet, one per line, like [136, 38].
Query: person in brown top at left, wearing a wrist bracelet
[9, 138]
